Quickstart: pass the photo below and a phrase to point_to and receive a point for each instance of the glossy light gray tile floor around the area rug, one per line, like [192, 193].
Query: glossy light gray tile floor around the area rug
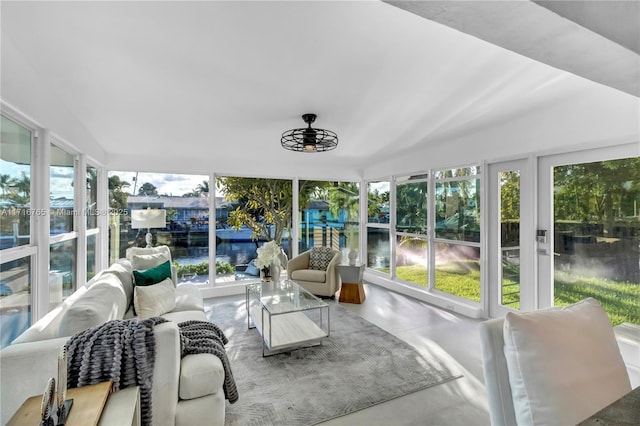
[459, 402]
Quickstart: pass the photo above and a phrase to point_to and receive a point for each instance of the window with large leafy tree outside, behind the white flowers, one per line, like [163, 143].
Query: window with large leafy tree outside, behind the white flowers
[250, 212]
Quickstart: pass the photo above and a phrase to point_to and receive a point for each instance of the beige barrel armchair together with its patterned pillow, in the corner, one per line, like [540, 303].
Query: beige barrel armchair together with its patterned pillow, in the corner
[317, 270]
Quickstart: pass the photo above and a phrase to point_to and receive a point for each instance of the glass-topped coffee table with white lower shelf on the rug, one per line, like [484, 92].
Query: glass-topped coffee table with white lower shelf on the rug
[286, 315]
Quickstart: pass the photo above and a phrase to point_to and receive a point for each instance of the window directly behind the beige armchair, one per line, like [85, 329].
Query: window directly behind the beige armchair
[329, 215]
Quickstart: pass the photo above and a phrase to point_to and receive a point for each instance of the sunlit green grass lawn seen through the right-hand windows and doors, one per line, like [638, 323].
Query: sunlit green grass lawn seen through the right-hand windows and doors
[621, 300]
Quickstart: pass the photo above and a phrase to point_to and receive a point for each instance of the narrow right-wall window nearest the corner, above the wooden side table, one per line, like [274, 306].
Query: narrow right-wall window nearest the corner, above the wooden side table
[378, 242]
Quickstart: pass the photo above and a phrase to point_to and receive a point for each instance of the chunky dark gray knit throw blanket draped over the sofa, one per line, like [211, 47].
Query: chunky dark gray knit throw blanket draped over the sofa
[123, 351]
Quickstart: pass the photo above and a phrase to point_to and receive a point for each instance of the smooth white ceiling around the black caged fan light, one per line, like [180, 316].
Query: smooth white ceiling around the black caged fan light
[211, 85]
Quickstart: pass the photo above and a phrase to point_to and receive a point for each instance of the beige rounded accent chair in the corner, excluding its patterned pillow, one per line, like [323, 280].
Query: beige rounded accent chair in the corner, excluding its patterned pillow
[319, 282]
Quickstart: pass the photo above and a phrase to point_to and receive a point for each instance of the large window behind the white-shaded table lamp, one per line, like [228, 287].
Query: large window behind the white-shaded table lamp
[185, 200]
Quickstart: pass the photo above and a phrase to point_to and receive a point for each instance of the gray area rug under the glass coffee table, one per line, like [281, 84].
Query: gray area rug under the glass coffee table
[357, 366]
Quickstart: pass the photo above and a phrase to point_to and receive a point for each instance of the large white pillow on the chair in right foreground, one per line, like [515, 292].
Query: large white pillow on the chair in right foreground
[564, 363]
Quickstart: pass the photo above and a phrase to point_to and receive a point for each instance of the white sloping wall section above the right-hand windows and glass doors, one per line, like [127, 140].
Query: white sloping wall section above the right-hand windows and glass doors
[596, 118]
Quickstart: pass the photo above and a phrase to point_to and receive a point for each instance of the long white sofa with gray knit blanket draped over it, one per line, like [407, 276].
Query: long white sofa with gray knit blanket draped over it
[186, 391]
